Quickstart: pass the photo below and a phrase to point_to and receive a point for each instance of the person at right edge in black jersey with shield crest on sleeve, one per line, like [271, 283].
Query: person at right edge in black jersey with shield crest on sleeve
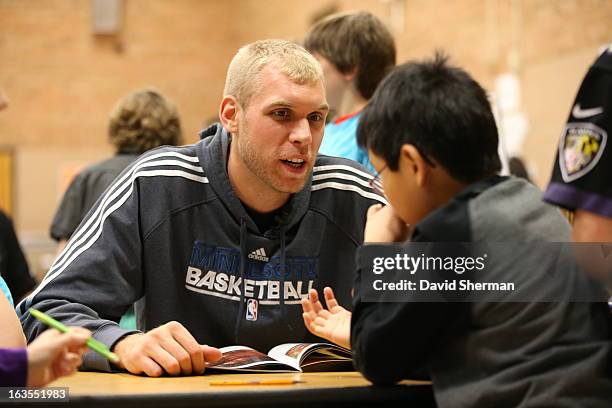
[580, 180]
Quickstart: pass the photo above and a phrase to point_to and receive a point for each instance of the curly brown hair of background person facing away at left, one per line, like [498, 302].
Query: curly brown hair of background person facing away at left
[143, 120]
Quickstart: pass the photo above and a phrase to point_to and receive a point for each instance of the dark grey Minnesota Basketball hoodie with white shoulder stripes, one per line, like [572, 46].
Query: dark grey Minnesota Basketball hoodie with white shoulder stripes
[172, 231]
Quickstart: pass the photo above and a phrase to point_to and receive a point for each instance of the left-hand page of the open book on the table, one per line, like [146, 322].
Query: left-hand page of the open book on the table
[243, 358]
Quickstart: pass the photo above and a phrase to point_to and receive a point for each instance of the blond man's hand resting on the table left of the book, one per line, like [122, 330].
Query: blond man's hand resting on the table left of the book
[170, 348]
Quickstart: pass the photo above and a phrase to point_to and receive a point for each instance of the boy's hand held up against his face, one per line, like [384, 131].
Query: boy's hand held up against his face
[383, 225]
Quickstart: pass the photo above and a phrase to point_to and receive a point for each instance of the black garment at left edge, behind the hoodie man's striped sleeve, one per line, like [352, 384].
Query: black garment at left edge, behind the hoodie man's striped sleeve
[13, 265]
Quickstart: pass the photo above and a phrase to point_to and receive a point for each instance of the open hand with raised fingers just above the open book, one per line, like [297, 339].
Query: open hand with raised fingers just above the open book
[333, 323]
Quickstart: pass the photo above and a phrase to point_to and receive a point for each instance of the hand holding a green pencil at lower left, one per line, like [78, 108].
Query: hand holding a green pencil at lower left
[53, 355]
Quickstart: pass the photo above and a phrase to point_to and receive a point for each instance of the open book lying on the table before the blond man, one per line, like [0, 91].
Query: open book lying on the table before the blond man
[289, 357]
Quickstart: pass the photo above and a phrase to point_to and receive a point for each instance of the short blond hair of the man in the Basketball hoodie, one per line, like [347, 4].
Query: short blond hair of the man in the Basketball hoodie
[290, 58]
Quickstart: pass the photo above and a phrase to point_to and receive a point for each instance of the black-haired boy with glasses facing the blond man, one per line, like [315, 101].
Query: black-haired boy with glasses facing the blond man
[432, 138]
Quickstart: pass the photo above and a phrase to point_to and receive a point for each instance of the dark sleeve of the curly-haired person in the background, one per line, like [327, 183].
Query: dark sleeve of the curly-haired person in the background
[70, 211]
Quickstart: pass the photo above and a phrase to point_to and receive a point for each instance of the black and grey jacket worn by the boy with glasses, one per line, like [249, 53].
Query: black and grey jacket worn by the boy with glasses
[492, 354]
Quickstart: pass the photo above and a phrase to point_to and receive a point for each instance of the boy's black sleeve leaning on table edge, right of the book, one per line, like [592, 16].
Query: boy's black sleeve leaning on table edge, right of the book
[395, 341]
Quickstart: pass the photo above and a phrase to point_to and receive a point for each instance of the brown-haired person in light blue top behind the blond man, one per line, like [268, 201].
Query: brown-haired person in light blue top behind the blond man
[356, 51]
